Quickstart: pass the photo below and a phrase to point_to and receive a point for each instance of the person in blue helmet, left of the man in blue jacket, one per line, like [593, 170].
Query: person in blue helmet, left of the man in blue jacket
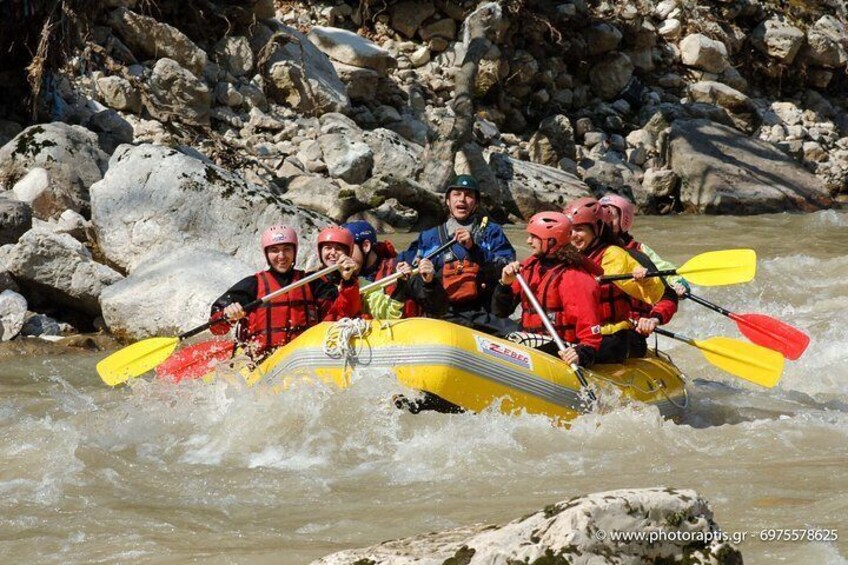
[411, 296]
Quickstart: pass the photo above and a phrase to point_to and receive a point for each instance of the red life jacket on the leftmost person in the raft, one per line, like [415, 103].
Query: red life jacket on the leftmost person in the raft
[285, 317]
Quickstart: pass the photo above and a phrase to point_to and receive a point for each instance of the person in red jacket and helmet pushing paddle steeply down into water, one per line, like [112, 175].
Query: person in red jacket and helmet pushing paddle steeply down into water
[559, 278]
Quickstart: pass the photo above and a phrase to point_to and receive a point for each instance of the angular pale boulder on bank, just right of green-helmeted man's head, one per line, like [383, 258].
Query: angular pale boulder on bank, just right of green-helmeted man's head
[527, 188]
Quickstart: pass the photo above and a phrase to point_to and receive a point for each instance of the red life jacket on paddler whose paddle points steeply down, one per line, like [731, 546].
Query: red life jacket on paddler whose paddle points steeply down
[544, 282]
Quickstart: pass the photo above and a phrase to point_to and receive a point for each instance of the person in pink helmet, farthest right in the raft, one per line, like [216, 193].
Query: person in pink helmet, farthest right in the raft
[646, 317]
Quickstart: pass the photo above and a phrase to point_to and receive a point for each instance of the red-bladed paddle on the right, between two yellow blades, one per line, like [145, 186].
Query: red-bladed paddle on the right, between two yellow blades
[764, 330]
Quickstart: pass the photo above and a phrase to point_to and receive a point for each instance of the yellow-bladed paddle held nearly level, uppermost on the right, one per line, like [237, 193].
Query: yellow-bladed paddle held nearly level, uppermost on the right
[714, 268]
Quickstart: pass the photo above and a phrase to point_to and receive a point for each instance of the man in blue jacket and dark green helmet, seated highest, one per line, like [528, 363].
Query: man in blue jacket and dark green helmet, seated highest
[471, 267]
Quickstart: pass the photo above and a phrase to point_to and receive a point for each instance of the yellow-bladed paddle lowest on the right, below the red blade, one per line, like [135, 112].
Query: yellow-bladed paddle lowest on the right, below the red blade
[748, 361]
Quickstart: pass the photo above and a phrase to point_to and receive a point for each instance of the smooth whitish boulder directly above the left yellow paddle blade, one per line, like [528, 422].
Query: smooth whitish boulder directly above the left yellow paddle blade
[171, 293]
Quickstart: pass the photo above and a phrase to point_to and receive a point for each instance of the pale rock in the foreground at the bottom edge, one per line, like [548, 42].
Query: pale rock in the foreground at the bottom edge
[661, 526]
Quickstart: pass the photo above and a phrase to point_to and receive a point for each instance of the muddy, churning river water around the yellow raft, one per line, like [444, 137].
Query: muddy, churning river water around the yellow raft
[220, 473]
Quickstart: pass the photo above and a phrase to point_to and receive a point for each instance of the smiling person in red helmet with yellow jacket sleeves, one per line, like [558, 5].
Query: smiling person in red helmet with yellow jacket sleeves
[593, 238]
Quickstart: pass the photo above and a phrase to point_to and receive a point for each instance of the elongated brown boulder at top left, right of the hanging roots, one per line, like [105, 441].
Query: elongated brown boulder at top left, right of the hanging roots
[153, 39]
